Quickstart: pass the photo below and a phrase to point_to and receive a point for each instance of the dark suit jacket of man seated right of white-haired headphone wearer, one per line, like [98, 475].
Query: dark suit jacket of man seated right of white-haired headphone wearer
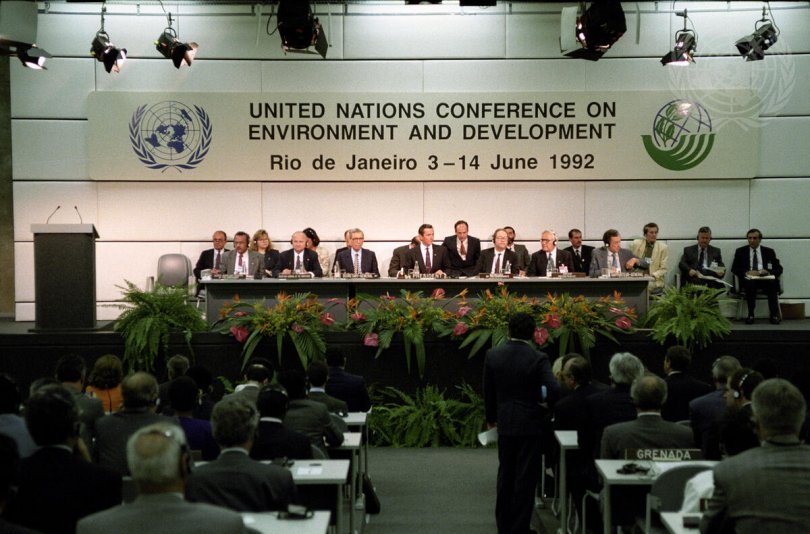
[236, 481]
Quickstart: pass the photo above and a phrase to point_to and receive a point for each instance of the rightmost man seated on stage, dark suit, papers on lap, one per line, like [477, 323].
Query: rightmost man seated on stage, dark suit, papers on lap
[751, 262]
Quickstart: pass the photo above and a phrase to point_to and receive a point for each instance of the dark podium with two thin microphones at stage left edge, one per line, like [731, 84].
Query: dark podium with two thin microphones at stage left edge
[65, 276]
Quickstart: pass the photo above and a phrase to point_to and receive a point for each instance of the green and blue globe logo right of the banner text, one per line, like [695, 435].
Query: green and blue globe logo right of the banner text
[681, 135]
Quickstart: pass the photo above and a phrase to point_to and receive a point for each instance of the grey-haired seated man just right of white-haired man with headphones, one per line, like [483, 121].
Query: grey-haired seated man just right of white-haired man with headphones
[235, 480]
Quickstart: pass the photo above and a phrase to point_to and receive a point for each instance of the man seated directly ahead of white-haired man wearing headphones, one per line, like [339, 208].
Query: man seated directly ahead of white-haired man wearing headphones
[140, 395]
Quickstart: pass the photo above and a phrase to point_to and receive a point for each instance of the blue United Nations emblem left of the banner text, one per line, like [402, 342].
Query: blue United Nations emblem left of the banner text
[170, 135]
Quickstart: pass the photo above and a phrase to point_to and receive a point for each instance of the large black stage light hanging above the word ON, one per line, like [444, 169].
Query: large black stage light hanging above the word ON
[597, 28]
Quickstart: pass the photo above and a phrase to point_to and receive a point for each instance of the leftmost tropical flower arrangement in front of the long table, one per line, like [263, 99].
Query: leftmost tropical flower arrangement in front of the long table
[300, 316]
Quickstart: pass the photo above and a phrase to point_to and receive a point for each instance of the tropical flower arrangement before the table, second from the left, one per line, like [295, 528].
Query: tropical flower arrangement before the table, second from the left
[411, 314]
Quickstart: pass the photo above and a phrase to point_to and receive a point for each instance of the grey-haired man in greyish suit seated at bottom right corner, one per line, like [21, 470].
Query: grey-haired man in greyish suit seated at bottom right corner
[767, 488]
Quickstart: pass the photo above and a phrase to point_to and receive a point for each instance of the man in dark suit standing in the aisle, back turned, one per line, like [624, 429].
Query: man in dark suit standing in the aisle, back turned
[515, 375]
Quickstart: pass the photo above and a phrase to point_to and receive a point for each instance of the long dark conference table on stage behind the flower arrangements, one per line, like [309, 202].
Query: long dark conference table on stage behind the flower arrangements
[221, 291]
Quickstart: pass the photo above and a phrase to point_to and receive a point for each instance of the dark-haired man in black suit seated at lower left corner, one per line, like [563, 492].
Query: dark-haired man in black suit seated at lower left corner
[57, 487]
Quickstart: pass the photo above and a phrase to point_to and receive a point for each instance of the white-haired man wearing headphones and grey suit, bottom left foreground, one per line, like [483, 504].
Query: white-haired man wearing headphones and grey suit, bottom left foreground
[160, 462]
